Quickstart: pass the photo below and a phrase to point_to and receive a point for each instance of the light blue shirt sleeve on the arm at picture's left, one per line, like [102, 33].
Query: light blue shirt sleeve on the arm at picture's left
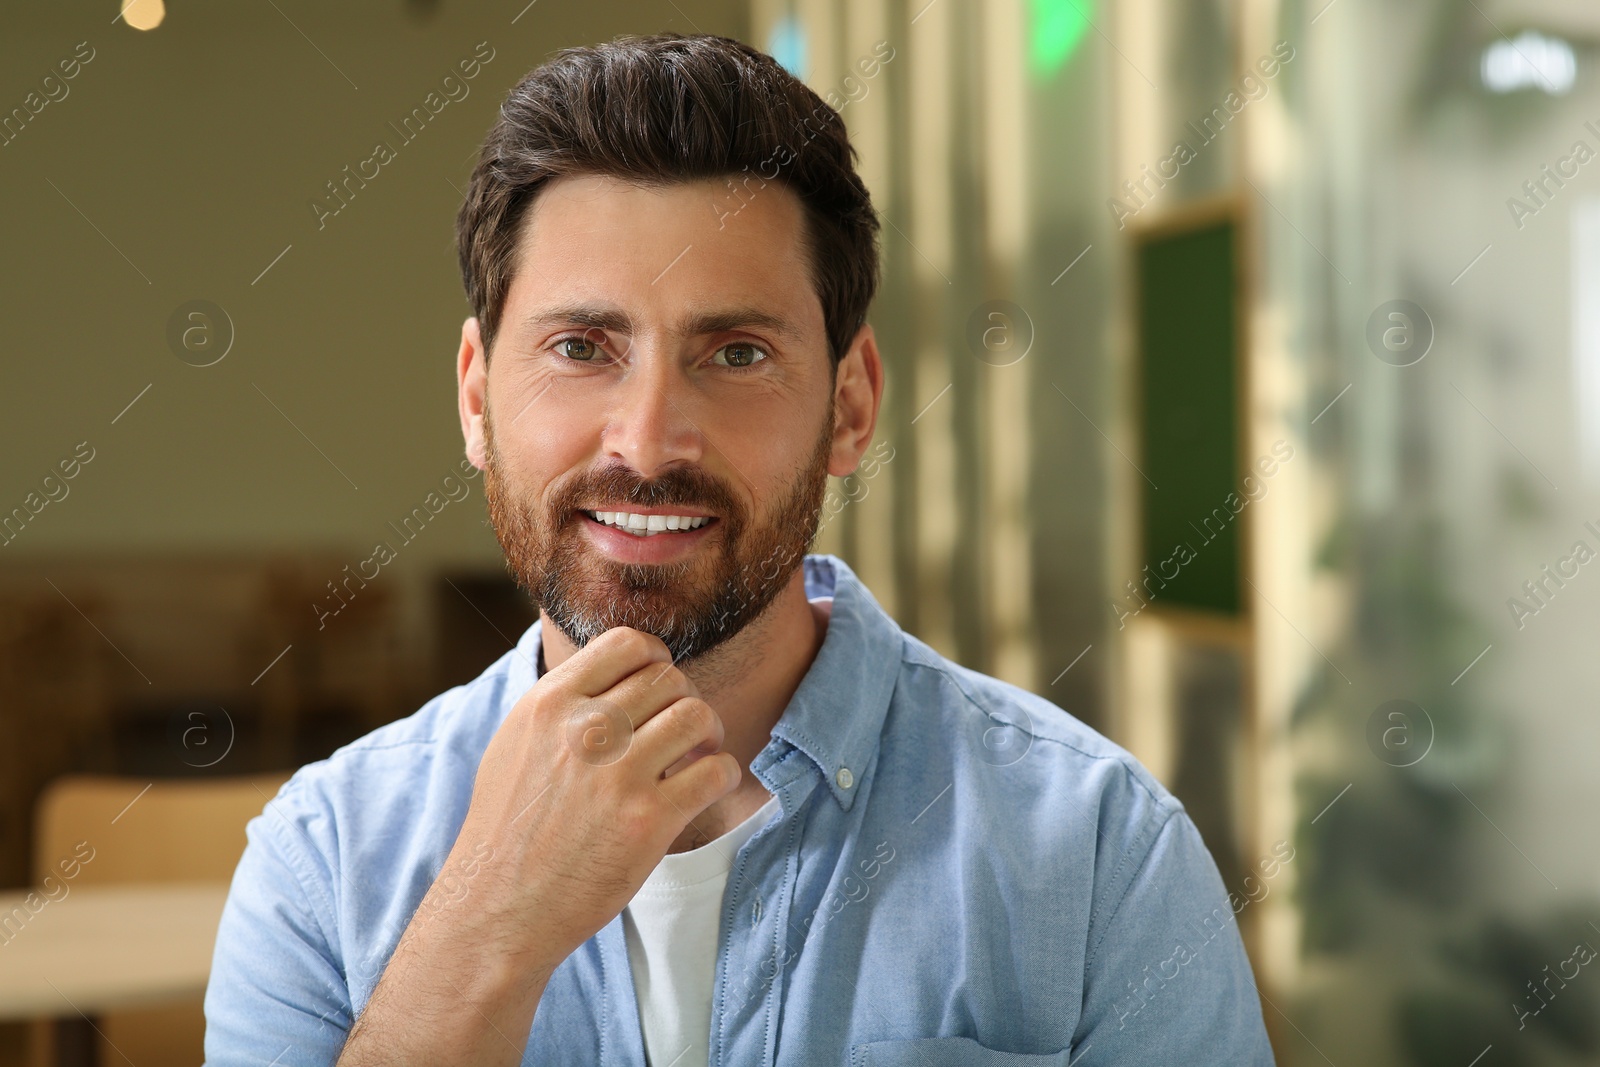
[278, 993]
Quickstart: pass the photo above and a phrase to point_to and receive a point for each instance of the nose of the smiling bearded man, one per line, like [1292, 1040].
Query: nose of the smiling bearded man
[652, 426]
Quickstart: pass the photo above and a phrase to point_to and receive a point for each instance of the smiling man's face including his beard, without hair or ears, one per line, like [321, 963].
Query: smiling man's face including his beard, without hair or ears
[658, 359]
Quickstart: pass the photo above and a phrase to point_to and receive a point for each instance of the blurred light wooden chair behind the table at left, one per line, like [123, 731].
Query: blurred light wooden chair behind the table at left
[148, 833]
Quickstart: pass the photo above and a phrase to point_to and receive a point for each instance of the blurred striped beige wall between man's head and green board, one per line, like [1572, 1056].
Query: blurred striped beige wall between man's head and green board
[988, 533]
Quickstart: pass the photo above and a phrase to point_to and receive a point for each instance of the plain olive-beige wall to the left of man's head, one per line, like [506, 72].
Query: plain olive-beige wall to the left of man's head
[190, 156]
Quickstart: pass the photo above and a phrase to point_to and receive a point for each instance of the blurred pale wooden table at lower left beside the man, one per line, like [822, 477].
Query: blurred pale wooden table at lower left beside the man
[103, 949]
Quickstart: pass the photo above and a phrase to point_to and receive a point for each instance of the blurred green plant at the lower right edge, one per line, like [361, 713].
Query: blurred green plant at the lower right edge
[1388, 871]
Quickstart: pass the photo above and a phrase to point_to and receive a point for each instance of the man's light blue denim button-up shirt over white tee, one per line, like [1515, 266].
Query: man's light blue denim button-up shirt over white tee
[959, 873]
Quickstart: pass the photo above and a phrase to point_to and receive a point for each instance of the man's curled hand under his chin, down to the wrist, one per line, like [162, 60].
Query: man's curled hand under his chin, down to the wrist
[585, 788]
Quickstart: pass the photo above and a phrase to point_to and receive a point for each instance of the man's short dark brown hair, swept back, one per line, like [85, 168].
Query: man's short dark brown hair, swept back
[670, 110]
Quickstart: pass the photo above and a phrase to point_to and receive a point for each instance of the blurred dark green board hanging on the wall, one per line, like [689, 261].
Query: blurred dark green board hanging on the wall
[1190, 420]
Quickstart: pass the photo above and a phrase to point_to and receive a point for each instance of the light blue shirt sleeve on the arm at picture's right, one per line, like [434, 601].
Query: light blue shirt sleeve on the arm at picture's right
[1167, 977]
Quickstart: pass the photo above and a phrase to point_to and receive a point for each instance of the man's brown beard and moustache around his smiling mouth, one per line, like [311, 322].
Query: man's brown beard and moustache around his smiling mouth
[695, 604]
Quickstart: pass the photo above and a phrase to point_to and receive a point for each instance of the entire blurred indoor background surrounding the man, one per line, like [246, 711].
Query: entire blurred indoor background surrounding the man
[1244, 399]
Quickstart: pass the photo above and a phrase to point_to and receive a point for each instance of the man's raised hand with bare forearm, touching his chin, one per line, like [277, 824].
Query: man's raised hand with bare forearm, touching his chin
[583, 789]
